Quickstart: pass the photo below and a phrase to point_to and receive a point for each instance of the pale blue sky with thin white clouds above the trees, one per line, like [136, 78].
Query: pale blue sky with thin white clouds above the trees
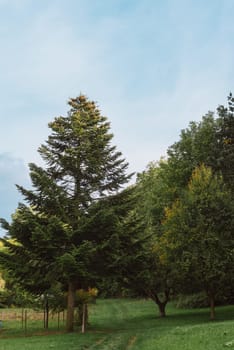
[152, 66]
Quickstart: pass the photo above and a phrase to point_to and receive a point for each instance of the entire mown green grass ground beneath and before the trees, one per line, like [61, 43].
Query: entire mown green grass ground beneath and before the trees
[130, 325]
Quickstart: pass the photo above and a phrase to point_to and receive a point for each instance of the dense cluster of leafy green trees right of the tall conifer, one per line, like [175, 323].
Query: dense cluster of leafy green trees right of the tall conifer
[188, 206]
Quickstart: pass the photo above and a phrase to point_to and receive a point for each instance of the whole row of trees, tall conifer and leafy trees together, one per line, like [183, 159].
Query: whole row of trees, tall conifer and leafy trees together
[170, 232]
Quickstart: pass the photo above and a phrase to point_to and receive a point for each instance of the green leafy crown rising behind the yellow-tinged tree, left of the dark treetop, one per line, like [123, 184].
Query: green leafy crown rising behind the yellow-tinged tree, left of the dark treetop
[197, 145]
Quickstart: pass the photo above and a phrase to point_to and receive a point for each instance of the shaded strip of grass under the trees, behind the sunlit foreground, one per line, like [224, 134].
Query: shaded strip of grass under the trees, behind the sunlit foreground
[136, 316]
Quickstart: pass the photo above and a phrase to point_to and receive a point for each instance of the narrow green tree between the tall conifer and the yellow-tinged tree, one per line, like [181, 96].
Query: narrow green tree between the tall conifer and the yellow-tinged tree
[151, 275]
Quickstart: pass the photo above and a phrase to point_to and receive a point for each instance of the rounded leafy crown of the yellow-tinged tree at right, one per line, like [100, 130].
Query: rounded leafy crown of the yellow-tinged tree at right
[198, 233]
